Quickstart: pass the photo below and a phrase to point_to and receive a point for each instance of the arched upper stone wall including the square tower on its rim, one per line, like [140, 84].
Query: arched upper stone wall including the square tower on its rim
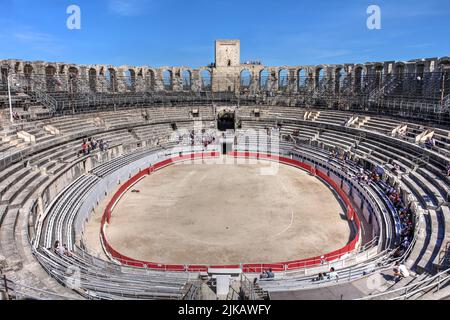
[226, 74]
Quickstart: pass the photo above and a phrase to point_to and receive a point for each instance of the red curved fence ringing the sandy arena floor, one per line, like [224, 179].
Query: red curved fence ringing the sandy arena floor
[248, 267]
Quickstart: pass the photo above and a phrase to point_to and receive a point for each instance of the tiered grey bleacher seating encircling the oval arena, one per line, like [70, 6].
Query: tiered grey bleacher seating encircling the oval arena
[422, 178]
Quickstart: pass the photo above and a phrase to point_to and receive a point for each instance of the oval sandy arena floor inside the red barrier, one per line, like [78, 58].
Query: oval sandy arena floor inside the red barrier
[221, 214]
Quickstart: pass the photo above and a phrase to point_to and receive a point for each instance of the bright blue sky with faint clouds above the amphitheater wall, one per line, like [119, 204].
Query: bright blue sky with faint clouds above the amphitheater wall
[176, 32]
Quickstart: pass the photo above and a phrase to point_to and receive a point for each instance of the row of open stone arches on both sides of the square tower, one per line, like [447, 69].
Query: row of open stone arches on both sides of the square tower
[262, 78]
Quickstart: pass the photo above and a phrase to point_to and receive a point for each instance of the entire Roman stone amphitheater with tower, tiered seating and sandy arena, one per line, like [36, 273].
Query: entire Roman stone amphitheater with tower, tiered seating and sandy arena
[232, 181]
